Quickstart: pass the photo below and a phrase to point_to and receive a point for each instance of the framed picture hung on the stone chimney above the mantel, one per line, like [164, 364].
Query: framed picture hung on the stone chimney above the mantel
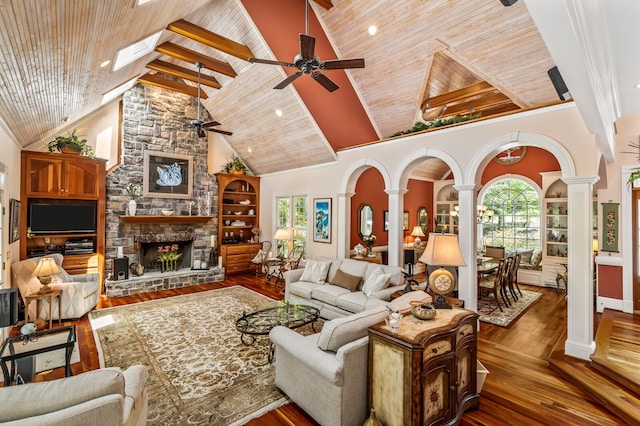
[167, 175]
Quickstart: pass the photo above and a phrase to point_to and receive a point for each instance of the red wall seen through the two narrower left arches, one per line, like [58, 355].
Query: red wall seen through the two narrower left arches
[370, 189]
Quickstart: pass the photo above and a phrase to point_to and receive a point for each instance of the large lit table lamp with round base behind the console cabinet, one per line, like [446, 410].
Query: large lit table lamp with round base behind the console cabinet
[442, 250]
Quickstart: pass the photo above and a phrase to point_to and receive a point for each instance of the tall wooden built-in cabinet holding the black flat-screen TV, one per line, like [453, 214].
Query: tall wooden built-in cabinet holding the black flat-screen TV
[51, 177]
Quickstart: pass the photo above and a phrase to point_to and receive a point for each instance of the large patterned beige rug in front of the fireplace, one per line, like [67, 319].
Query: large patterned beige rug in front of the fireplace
[199, 370]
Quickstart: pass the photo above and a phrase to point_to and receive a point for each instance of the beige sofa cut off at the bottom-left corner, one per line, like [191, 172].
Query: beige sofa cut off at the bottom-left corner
[105, 397]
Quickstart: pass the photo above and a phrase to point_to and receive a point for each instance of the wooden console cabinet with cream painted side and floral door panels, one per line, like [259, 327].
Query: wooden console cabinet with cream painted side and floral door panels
[425, 374]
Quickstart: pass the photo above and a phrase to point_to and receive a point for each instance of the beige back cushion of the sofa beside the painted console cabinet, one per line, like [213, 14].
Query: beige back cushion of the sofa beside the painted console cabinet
[340, 331]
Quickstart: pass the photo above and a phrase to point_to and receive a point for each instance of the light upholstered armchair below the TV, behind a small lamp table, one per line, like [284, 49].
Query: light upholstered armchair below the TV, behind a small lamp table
[79, 295]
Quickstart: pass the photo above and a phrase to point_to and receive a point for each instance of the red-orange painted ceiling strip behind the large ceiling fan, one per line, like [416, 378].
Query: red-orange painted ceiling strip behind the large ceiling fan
[280, 22]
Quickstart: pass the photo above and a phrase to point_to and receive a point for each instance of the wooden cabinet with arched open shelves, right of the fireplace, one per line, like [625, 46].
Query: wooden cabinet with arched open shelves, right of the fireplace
[238, 214]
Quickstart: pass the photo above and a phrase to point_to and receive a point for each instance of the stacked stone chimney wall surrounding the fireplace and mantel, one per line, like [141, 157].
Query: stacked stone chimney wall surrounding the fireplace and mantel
[157, 120]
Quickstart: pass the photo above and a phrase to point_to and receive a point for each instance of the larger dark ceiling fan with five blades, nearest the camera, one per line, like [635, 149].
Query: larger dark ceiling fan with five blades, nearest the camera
[307, 62]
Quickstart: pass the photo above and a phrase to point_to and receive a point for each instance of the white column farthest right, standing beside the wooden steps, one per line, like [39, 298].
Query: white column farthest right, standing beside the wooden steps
[580, 343]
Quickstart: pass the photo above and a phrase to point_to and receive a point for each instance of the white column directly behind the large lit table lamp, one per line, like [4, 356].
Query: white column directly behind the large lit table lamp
[467, 275]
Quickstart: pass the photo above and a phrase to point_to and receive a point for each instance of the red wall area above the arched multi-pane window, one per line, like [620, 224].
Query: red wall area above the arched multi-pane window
[536, 160]
